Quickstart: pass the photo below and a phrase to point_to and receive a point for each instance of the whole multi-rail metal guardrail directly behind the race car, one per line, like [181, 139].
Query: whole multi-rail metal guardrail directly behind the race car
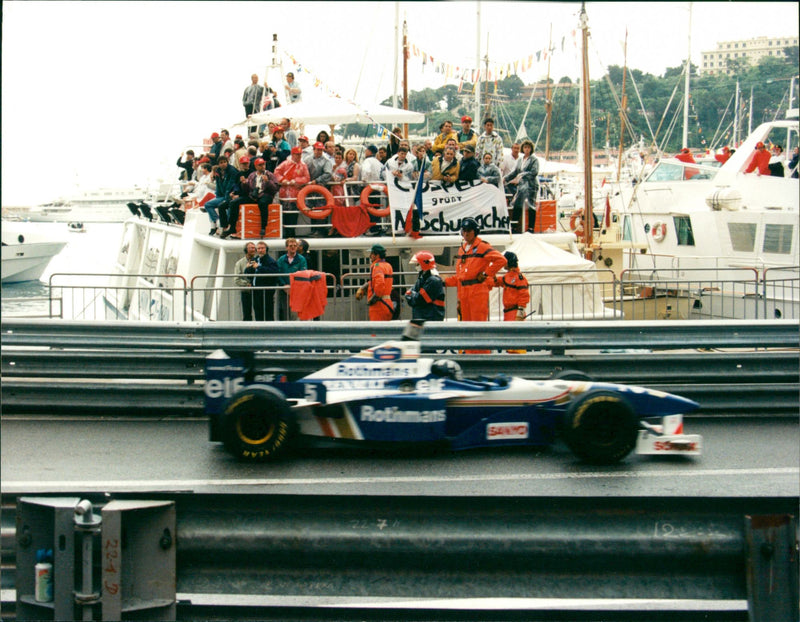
[157, 367]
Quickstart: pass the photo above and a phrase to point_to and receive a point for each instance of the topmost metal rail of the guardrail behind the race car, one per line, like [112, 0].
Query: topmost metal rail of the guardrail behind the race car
[352, 336]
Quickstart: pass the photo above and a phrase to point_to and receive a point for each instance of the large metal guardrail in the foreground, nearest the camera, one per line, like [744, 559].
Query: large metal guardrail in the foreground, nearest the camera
[350, 557]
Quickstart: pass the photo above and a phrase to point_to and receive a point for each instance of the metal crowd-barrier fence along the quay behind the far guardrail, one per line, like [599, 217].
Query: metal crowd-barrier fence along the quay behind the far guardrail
[638, 294]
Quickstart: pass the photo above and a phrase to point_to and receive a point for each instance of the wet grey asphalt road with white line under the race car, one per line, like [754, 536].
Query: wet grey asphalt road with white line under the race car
[742, 457]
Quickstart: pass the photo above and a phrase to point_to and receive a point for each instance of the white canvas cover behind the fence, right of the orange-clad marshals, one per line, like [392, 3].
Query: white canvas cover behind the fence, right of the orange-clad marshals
[565, 286]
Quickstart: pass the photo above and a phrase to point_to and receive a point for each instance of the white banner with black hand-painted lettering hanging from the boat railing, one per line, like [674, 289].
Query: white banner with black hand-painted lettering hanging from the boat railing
[445, 205]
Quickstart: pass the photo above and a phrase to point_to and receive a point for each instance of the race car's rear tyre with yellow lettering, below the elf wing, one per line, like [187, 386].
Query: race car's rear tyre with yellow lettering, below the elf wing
[257, 424]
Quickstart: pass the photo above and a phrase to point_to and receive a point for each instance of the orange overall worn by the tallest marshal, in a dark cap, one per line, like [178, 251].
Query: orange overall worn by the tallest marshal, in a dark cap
[476, 262]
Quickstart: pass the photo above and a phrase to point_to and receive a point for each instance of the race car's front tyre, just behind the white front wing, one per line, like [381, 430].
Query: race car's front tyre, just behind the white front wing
[600, 427]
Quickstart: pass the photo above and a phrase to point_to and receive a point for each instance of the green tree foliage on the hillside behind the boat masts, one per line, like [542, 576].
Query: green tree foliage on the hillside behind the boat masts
[653, 112]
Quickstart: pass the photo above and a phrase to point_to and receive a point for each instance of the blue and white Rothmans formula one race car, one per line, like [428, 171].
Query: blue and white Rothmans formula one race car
[389, 394]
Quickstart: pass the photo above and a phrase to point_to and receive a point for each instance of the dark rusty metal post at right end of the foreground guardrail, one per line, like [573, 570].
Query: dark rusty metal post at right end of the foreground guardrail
[772, 568]
